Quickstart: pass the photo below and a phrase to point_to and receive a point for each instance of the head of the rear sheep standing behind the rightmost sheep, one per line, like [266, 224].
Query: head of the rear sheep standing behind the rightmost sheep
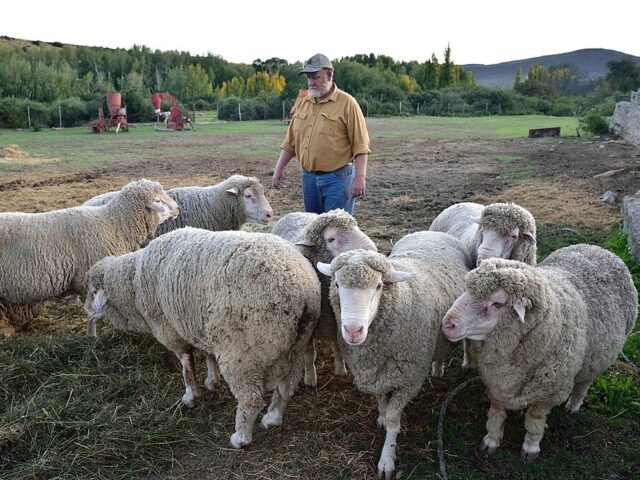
[507, 231]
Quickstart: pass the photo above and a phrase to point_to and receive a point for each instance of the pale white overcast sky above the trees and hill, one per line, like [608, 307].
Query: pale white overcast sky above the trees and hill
[241, 31]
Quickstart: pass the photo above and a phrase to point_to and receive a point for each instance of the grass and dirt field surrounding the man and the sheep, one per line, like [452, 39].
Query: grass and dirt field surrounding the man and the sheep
[73, 407]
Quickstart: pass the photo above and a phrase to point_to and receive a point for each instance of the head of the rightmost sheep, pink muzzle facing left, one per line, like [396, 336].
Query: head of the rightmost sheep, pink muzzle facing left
[498, 289]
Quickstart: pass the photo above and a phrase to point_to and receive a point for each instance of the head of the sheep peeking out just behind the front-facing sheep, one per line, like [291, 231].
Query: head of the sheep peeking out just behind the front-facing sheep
[335, 232]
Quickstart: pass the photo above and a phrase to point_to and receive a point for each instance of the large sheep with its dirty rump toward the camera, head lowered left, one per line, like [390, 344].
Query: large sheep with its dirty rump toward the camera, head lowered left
[250, 299]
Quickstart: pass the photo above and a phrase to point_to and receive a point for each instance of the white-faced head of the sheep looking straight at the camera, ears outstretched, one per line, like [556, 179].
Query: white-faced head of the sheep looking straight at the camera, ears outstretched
[358, 280]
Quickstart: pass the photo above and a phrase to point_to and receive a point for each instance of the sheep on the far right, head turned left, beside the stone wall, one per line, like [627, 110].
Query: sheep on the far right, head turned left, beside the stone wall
[544, 333]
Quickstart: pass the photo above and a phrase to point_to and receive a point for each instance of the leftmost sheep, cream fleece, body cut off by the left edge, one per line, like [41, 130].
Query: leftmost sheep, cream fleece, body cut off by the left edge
[46, 255]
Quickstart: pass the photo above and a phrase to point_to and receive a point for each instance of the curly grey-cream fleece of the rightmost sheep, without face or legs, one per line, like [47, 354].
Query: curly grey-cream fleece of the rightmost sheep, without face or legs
[581, 303]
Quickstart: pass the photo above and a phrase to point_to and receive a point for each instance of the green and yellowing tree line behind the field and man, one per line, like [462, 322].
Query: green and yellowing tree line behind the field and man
[58, 80]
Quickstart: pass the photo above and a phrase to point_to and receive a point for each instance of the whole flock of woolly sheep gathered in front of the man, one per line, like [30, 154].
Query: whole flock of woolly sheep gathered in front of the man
[176, 265]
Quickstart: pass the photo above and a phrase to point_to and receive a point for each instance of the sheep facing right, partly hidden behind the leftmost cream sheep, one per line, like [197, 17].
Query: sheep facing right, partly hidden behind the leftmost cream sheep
[224, 206]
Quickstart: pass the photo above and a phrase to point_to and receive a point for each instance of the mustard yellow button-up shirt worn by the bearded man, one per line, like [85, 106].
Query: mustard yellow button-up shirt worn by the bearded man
[327, 135]
